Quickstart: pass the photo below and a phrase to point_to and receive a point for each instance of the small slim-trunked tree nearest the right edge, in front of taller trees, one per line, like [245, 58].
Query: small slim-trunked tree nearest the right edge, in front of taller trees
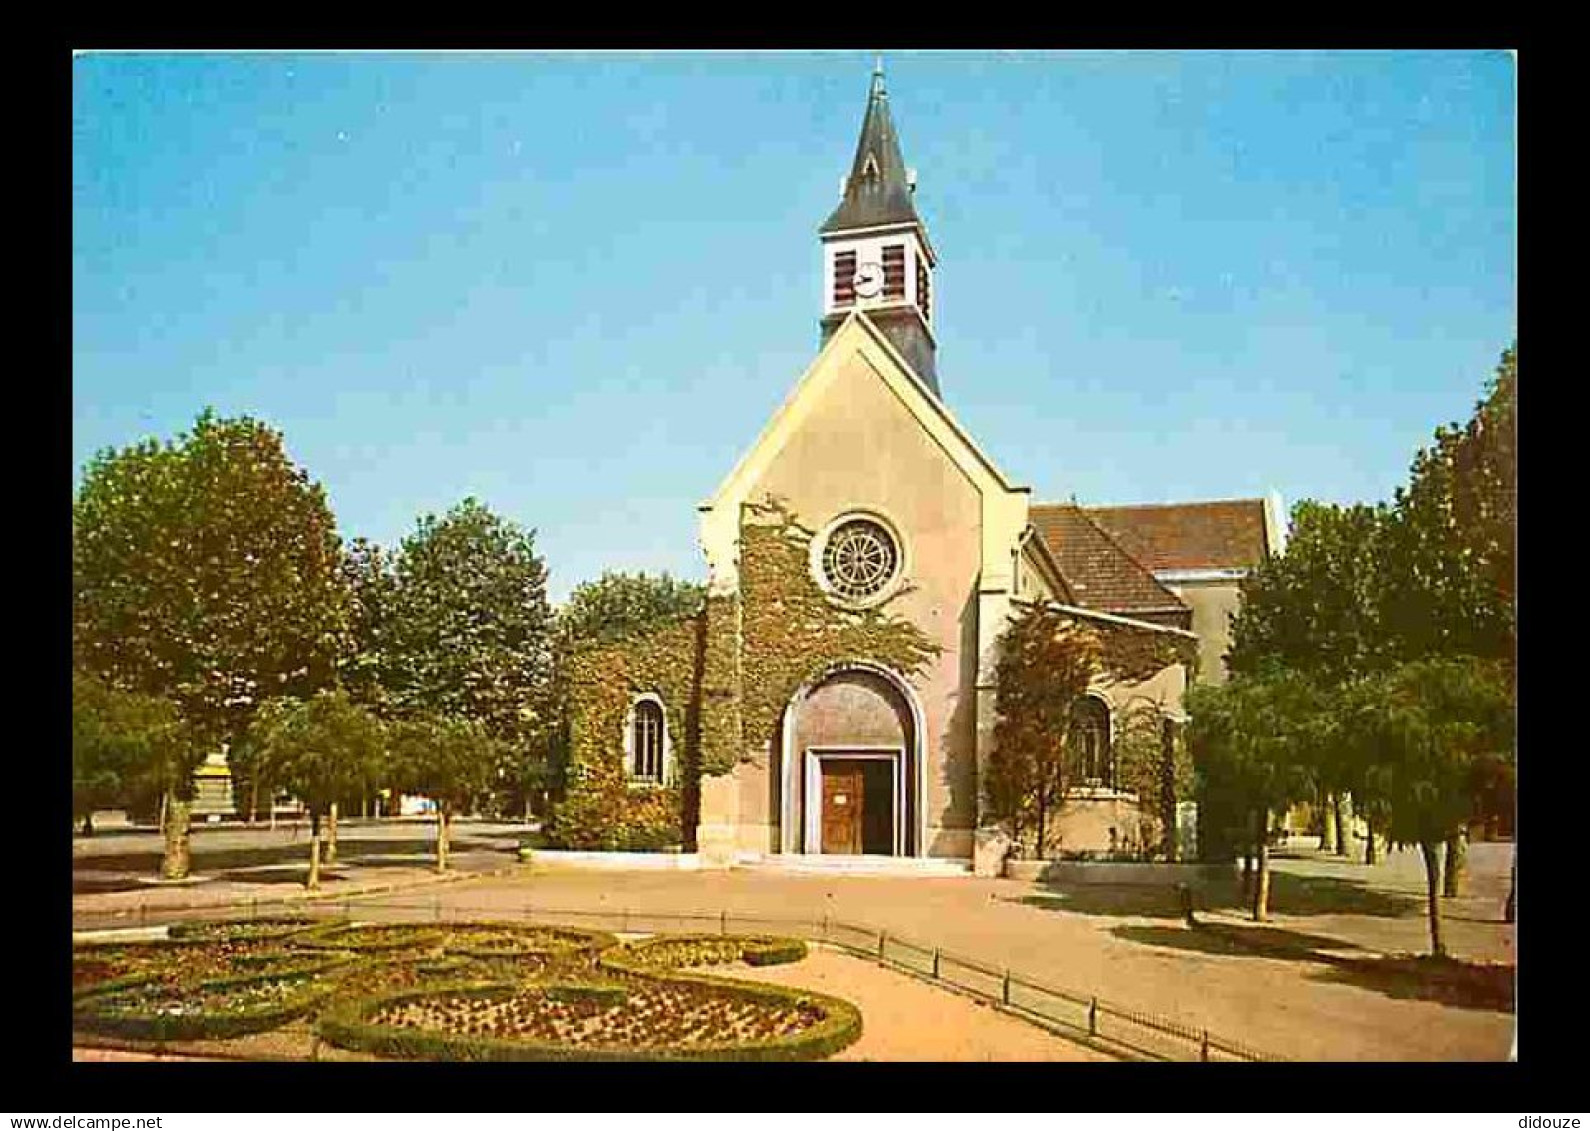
[1424, 739]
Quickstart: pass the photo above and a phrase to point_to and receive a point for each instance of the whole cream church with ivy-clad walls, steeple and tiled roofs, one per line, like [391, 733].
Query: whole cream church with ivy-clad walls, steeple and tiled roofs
[837, 696]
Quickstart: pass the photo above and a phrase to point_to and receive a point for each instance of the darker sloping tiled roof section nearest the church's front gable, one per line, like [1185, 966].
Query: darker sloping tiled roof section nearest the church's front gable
[1101, 573]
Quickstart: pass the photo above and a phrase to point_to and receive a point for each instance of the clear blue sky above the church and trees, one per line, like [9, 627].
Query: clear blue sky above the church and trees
[576, 286]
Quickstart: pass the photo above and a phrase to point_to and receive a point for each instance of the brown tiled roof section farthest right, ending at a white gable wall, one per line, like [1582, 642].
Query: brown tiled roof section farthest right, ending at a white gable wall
[1224, 535]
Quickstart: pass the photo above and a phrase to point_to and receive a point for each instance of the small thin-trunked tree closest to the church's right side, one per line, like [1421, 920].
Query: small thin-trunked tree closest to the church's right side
[1257, 745]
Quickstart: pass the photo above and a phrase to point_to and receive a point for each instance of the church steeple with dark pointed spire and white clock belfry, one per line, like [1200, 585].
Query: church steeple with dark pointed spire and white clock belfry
[877, 255]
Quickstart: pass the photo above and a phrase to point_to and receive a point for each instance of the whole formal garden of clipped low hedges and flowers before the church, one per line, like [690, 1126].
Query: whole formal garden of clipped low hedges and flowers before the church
[468, 992]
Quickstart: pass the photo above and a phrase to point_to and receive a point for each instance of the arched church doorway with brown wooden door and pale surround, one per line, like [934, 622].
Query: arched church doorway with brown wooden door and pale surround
[851, 766]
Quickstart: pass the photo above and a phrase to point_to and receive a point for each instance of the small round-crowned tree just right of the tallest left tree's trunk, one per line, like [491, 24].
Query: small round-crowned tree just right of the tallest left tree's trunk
[319, 750]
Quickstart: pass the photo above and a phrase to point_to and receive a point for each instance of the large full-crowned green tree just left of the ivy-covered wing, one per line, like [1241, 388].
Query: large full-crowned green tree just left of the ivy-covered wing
[468, 634]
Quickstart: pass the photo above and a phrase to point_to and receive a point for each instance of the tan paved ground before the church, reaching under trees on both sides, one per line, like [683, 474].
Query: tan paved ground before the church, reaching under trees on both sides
[1127, 946]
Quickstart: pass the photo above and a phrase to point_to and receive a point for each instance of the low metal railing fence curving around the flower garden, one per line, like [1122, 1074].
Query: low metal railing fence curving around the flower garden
[1087, 1017]
